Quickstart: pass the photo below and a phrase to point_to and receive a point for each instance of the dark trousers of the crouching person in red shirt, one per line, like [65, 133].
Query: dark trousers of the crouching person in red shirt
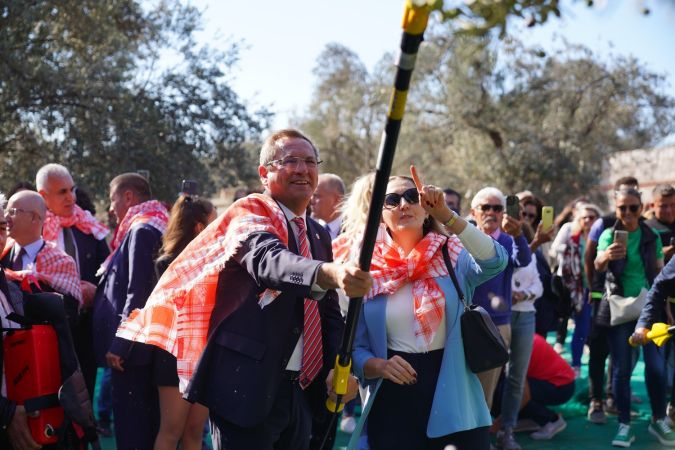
[545, 394]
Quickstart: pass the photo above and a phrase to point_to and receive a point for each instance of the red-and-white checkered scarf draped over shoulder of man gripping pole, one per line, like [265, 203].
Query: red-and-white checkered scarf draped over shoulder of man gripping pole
[177, 313]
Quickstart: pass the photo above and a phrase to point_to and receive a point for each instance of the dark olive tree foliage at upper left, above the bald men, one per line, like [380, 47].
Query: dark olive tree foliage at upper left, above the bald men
[109, 87]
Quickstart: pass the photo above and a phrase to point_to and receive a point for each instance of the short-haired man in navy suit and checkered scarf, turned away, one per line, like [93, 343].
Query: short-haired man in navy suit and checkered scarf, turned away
[126, 284]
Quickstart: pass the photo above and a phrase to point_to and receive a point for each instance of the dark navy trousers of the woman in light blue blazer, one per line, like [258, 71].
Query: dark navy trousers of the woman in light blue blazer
[400, 413]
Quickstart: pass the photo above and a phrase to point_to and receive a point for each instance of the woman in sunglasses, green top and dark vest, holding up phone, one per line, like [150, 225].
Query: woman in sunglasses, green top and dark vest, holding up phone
[631, 268]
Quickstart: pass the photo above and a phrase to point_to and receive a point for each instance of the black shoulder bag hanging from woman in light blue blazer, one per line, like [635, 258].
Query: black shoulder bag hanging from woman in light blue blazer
[484, 348]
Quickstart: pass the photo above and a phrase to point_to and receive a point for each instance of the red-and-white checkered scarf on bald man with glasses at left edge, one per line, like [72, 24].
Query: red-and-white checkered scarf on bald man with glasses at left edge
[52, 266]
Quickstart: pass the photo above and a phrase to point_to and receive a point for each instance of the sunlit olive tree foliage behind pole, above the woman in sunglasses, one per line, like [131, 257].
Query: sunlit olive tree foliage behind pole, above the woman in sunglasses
[493, 112]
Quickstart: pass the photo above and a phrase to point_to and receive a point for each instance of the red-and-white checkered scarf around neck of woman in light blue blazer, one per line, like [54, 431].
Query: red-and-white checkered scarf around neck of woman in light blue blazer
[391, 269]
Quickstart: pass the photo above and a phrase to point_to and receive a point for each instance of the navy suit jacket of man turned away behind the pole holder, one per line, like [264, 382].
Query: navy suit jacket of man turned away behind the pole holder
[125, 286]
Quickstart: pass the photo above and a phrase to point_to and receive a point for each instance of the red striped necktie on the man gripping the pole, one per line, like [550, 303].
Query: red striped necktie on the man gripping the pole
[312, 353]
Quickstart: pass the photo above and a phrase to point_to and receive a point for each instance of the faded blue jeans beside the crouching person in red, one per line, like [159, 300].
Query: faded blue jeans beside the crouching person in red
[522, 333]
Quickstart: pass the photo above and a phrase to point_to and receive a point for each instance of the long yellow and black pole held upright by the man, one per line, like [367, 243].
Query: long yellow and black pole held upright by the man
[415, 20]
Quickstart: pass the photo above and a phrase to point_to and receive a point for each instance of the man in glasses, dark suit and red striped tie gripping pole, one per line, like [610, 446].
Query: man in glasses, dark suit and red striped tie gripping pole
[260, 374]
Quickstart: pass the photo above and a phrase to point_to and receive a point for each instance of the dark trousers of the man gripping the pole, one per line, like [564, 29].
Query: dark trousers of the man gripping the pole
[287, 427]
